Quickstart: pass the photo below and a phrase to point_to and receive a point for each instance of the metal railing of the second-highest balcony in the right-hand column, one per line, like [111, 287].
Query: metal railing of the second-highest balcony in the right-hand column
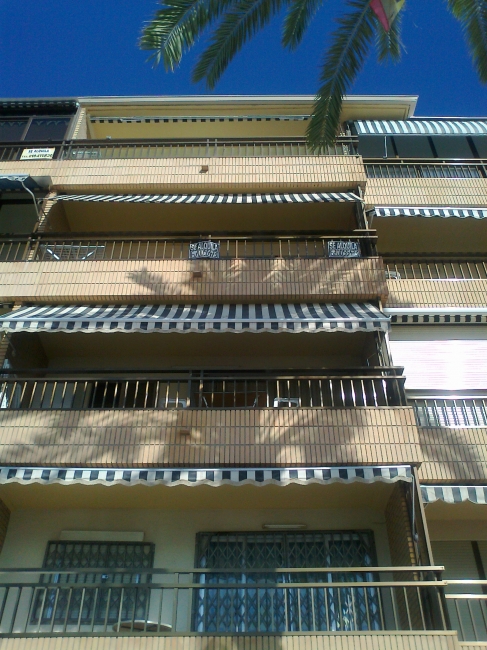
[436, 268]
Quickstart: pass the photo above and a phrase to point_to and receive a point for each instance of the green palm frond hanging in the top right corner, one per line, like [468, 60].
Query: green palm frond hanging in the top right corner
[472, 14]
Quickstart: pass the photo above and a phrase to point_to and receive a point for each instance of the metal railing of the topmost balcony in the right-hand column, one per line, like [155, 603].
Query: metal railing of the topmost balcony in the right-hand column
[426, 169]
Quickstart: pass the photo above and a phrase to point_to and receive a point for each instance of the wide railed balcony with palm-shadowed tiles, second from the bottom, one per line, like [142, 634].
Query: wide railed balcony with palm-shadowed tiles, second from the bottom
[209, 418]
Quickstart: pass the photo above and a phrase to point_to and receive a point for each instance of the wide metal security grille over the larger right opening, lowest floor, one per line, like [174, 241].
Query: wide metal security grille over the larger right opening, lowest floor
[251, 558]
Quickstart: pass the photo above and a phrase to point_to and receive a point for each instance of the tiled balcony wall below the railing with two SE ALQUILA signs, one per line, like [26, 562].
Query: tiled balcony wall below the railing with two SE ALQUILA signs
[296, 280]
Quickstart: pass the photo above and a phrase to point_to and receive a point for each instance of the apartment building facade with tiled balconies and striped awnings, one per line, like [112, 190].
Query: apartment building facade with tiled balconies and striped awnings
[243, 387]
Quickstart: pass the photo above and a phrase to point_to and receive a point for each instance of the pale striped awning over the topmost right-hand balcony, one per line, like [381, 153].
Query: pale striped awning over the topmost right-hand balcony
[421, 127]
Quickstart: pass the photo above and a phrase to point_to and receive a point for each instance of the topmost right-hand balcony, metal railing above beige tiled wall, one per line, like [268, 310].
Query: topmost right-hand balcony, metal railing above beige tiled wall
[426, 182]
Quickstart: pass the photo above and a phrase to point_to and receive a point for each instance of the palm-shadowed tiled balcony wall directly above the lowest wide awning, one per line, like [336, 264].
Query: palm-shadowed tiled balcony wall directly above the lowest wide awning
[262, 437]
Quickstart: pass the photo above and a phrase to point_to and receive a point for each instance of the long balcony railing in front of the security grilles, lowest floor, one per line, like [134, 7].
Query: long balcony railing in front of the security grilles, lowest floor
[111, 602]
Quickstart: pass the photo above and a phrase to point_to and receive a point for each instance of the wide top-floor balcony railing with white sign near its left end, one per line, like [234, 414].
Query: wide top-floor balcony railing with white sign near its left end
[197, 148]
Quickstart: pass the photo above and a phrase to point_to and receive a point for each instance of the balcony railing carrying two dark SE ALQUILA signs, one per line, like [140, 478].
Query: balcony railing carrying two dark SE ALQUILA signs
[103, 246]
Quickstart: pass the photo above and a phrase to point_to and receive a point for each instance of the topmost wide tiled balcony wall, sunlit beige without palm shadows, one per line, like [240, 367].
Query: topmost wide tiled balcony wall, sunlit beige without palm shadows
[281, 173]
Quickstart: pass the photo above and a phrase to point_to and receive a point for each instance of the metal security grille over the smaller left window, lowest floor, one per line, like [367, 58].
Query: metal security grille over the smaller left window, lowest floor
[104, 605]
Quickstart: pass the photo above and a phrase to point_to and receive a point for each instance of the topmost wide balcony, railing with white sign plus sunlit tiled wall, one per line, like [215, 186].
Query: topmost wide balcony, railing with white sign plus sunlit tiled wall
[228, 165]
